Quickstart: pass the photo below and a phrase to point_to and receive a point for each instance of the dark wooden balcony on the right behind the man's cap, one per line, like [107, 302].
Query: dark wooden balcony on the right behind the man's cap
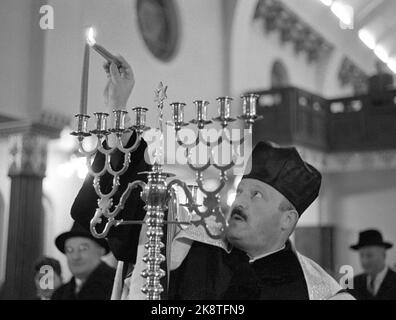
[292, 116]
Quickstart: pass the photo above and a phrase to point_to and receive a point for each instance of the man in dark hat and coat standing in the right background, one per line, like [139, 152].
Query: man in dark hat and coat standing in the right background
[378, 282]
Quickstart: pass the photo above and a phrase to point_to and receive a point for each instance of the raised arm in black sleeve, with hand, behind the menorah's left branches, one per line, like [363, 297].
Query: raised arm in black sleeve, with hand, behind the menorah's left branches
[123, 239]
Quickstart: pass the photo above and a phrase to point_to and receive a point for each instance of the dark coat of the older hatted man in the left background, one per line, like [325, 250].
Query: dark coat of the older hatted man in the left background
[98, 286]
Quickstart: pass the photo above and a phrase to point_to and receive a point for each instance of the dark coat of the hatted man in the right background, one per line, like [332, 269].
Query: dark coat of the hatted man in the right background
[387, 290]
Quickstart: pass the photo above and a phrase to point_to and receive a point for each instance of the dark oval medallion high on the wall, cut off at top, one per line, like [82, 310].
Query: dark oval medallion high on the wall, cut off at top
[158, 24]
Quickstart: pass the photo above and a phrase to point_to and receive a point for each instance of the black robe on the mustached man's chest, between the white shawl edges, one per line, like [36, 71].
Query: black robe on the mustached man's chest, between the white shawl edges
[210, 273]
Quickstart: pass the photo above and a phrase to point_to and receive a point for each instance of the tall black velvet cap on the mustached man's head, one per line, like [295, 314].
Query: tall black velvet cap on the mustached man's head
[284, 170]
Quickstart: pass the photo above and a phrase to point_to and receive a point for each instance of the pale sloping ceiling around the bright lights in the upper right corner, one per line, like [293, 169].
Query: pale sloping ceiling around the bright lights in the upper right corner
[375, 16]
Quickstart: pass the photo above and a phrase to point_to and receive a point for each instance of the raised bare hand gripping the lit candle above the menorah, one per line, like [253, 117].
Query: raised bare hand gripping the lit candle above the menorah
[119, 85]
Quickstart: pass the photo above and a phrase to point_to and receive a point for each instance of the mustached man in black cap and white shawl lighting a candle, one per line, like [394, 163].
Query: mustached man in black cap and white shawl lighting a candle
[263, 263]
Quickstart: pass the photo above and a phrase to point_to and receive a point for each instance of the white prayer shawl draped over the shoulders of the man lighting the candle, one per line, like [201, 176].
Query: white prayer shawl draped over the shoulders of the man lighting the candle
[321, 286]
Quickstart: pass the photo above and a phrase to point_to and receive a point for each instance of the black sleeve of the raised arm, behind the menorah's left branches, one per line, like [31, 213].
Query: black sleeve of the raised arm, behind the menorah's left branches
[123, 239]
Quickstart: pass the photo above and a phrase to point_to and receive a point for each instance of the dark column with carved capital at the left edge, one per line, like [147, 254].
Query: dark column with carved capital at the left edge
[28, 152]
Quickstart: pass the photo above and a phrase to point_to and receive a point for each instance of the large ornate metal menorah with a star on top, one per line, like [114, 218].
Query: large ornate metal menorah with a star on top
[157, 193]
